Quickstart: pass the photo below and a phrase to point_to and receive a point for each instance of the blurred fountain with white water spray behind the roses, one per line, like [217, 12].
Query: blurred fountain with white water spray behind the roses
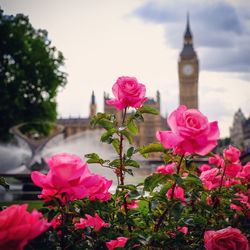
[19, 161]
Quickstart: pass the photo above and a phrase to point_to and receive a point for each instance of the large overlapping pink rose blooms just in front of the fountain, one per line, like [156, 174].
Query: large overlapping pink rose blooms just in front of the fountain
[69, 179]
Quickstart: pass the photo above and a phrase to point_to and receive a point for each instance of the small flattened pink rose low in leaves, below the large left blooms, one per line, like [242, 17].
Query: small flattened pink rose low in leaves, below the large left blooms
[95, 222]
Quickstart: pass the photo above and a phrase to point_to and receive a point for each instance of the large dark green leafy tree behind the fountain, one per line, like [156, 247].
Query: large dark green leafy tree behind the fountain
[31, 71]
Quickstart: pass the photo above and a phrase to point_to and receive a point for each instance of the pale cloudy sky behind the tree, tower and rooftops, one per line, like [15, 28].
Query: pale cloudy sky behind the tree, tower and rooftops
[102, 40]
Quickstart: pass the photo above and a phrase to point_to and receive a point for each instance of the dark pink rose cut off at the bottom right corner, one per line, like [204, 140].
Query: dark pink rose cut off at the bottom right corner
[225, 239]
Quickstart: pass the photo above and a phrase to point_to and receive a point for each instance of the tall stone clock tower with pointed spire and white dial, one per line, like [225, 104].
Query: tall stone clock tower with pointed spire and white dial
[188, 68]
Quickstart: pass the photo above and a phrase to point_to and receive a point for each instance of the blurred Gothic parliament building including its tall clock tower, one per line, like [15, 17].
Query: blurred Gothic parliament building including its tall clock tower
[188, 71]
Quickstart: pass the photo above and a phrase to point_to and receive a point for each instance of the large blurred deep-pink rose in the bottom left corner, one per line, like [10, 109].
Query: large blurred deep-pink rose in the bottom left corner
[18, 226]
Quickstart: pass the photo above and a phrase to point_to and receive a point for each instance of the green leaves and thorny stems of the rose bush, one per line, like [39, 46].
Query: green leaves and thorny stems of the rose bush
[149, 214]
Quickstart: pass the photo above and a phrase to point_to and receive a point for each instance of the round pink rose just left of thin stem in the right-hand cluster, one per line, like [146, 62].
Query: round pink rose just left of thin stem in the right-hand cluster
[211, 178]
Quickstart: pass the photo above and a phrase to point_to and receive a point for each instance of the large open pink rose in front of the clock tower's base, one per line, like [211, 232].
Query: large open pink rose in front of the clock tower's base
[191, 133]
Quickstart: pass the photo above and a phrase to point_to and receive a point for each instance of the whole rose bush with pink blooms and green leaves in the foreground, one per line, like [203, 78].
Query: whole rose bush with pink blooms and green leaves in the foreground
[181, 205]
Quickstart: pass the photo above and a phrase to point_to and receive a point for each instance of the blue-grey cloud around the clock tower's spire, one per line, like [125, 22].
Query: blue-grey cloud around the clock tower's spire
[221, 31]
